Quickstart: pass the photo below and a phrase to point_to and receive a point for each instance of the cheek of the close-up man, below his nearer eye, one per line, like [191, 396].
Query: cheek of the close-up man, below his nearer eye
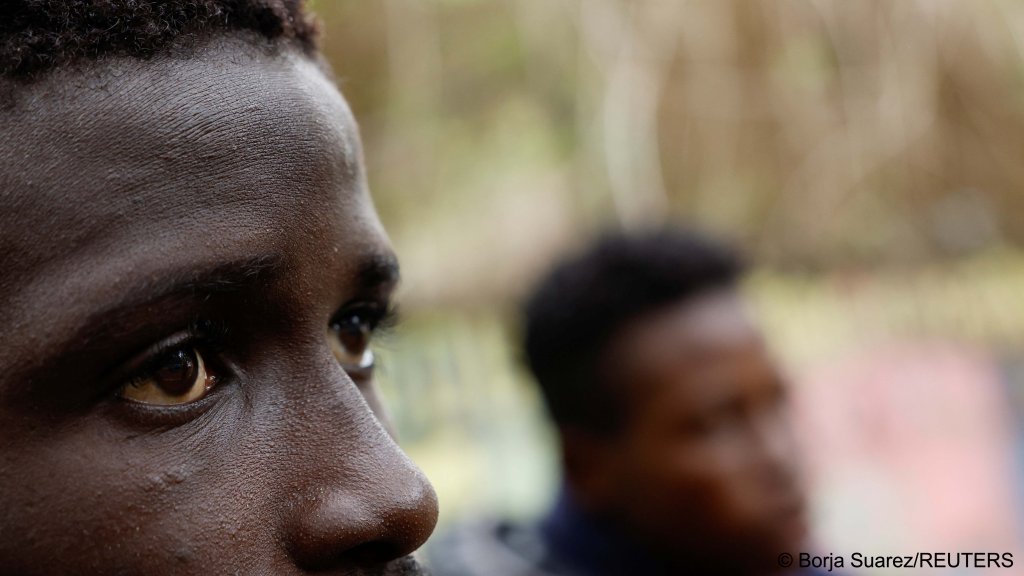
[153, 503]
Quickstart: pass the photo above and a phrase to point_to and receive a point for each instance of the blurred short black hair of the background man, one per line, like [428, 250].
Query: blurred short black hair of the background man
[585, 302]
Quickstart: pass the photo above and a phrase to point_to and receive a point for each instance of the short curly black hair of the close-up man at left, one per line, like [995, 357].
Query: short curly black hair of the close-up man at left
[40, 35]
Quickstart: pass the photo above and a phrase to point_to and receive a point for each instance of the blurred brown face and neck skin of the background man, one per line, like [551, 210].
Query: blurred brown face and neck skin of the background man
[703, 474]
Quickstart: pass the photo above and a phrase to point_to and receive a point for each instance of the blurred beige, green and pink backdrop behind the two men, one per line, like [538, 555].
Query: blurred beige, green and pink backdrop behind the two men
[870, 155]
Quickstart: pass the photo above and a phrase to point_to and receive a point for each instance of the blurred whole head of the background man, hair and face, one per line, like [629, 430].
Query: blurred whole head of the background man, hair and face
[670, 408]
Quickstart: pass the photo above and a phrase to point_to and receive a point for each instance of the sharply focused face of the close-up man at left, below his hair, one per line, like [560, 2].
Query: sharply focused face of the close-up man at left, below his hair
[191, 271]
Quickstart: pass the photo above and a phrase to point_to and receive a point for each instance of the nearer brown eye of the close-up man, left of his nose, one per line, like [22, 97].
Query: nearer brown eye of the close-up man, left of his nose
[179, 377]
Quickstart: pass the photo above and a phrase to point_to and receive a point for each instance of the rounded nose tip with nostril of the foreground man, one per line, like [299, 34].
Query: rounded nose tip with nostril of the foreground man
[366, 523]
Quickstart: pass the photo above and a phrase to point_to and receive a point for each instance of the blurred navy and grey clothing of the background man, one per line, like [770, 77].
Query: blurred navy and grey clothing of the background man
[567, 543]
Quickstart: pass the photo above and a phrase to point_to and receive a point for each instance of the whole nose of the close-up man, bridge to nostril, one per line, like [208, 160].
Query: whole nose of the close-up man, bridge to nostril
[360, 501]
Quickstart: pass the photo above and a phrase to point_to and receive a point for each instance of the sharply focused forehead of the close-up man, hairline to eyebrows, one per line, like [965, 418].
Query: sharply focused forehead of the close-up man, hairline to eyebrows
[121, 169]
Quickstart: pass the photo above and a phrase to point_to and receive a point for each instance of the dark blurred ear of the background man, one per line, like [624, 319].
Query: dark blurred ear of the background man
[590, 466]
